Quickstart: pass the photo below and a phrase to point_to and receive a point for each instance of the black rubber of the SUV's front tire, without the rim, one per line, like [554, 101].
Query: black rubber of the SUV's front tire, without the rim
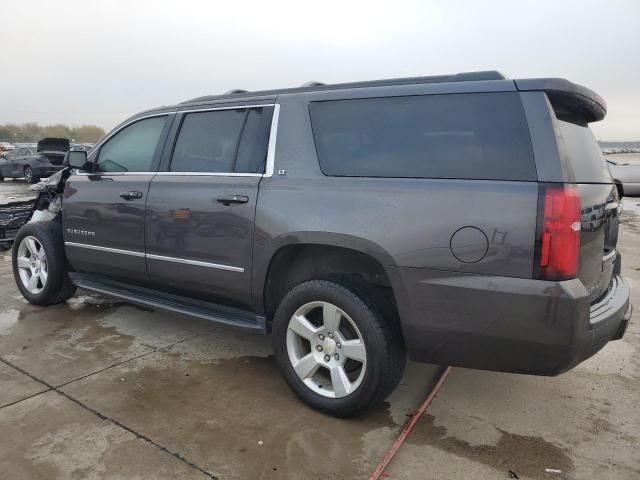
[58, 287]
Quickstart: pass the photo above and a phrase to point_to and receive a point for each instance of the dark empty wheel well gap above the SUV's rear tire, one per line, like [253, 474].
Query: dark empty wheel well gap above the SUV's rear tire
[295, 264]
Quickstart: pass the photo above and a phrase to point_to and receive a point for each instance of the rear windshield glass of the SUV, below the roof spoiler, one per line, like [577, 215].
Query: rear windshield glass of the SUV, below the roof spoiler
[584, 154]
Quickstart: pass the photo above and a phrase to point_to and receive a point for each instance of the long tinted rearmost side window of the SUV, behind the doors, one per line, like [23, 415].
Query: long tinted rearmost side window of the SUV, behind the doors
[466, 136]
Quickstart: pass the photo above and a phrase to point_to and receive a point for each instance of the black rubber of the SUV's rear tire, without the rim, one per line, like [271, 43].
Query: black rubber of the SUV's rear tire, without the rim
[382, 337]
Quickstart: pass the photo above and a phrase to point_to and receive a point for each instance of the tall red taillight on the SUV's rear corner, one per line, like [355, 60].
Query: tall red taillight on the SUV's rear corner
[560, 249]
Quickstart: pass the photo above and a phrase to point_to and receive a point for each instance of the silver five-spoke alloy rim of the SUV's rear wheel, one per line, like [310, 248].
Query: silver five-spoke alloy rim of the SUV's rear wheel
[326, 349]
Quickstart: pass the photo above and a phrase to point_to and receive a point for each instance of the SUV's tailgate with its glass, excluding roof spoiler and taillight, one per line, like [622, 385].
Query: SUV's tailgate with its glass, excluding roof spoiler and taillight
[598, 206]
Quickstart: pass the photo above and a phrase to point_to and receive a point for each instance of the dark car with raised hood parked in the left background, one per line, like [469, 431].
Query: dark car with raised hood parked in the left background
[33, 164]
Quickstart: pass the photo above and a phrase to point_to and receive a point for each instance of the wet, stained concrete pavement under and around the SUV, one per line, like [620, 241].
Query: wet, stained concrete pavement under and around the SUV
[95, 388]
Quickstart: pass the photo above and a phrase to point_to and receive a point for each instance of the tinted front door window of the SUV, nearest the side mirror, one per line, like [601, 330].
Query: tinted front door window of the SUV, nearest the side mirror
[133, 148]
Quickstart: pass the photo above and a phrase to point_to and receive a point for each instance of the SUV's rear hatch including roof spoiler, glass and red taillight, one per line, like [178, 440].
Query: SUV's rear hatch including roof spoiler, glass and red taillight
[579, 230]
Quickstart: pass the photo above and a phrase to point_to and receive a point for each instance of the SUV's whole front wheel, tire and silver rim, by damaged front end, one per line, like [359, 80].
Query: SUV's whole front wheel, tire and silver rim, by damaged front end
[39, 265]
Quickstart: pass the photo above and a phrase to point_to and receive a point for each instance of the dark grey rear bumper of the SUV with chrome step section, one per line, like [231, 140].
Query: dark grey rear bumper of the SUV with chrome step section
[505, 324]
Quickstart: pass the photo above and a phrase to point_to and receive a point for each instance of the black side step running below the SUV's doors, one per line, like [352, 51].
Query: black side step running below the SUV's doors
[190, 307]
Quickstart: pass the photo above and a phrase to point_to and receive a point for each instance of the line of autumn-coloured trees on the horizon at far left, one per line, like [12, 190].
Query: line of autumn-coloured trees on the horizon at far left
[32, 132]
